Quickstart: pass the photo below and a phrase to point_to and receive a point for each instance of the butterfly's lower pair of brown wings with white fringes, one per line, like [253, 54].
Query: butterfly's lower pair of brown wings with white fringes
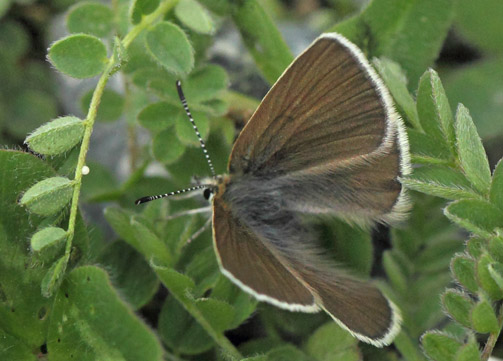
[288, 273]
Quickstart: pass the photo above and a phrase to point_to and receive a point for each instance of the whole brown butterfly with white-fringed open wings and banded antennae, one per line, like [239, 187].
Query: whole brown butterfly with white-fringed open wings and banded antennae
[325, 140]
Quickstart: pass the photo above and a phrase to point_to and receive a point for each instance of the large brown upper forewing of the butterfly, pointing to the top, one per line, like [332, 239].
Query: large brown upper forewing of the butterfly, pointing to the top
[325, 108]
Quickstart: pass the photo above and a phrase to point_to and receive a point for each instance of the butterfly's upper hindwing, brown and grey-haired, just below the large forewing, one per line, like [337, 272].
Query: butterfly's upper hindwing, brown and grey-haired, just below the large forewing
[360, 193]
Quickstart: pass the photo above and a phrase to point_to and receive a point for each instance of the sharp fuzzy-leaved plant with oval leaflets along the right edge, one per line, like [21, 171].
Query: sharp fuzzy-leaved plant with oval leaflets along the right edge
[458, 170]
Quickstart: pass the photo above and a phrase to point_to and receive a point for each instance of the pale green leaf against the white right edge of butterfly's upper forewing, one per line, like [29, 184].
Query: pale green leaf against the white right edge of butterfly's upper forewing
[396, 81]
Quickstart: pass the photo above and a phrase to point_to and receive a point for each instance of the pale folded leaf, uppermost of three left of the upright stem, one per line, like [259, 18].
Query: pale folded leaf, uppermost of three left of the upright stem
[57, 136]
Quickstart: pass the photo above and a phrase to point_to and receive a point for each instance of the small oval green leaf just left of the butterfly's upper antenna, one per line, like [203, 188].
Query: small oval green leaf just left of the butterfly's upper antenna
[159, 116]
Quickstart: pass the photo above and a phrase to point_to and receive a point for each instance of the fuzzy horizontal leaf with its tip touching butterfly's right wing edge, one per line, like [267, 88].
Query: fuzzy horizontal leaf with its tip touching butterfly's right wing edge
[440, 182]
